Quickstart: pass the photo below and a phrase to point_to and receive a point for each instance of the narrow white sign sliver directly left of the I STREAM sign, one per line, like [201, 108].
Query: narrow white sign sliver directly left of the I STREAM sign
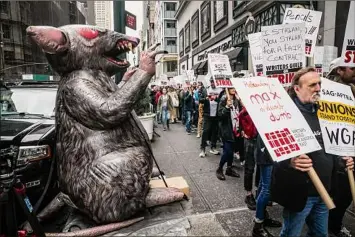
[256, 53]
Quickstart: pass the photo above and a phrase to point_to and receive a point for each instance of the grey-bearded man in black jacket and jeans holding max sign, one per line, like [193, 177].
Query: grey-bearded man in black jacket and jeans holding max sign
[291, 186]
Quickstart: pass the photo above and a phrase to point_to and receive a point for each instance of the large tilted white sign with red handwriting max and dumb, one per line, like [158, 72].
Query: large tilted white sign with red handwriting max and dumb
[281, 125]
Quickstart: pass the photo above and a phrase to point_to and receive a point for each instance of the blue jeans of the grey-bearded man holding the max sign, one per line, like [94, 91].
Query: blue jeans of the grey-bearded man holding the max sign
[315, 215]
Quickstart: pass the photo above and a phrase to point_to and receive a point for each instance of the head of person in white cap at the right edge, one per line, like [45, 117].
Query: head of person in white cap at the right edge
[341, 74]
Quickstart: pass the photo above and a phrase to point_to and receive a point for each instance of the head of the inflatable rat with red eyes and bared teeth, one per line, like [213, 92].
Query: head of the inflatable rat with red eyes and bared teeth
[74, 47]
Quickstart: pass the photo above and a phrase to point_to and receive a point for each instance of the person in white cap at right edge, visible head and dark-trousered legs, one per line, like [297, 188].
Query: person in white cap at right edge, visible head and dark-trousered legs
[341, 194]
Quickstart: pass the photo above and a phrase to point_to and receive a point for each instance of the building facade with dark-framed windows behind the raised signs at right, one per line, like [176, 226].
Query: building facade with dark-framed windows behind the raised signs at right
[222, 27]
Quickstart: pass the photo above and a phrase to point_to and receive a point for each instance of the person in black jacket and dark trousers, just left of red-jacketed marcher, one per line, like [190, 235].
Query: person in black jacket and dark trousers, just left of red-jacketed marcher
[225, 109]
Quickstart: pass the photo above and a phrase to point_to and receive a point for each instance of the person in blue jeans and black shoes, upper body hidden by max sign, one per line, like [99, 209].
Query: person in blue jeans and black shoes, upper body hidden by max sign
[265, 163]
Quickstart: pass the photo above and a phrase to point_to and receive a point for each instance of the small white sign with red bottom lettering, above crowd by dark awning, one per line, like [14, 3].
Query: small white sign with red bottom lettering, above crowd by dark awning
[220, 69]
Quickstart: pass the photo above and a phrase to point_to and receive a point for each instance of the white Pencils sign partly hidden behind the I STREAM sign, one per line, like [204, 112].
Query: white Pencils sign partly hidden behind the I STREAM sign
[311, 19]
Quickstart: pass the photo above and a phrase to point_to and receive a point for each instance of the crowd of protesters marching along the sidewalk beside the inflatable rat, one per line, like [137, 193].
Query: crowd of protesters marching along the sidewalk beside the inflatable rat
[219, 117]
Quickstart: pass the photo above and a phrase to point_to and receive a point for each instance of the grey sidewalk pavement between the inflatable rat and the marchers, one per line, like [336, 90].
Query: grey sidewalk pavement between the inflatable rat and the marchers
[215, 208]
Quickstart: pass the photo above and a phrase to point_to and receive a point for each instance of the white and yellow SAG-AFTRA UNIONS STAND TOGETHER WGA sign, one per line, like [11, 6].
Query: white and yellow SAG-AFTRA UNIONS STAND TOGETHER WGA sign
[336, 115]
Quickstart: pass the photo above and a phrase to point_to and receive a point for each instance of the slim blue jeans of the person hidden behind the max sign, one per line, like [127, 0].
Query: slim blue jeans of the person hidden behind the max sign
[263, 190]
